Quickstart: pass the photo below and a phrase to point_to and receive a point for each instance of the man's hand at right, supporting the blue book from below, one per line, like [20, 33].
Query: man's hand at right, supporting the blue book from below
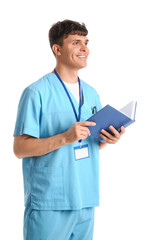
[109, 138]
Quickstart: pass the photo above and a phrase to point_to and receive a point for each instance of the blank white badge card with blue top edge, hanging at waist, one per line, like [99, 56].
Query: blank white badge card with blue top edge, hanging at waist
[81, 152]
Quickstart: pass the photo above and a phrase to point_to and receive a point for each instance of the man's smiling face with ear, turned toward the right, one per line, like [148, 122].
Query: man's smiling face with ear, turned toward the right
[74, 52]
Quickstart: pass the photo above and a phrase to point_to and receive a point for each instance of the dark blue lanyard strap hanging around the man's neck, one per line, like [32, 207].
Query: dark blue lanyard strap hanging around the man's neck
[80, 96]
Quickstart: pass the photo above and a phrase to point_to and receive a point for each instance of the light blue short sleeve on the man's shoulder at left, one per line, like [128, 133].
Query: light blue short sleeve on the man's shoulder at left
[28, 115]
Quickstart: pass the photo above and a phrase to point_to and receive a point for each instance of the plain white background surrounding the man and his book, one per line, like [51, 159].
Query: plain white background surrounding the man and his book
[124, 64]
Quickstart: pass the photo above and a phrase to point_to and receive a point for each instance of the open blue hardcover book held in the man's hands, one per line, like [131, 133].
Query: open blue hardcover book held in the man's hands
[110, 116]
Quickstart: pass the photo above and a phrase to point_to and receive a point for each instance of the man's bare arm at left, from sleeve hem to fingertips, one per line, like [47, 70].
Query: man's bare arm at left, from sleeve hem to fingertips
[27, 146]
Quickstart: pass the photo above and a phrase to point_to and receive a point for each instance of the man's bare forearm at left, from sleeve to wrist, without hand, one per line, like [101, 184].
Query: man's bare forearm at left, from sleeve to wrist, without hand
[27, 146]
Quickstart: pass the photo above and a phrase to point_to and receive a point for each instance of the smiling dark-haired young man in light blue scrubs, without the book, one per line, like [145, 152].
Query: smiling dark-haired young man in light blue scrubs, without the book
[51, 135]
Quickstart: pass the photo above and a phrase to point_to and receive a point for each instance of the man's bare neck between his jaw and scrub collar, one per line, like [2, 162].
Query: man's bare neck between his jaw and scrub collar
[67, 74]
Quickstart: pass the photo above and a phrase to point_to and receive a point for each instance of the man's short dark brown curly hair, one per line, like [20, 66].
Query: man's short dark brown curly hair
[60, 30]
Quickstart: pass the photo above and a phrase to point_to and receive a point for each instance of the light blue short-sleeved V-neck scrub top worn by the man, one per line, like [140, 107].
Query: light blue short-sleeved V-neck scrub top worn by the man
[56, 181]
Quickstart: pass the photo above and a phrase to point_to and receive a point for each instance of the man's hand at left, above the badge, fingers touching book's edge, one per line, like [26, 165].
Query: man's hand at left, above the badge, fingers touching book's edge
[79, 130]
